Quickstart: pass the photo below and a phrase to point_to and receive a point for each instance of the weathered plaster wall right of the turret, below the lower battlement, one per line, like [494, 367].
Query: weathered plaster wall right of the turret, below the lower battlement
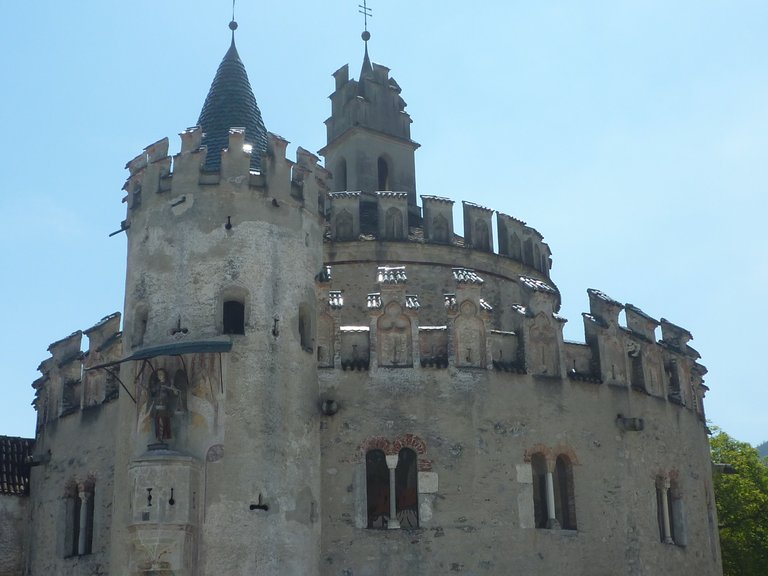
[478, 426]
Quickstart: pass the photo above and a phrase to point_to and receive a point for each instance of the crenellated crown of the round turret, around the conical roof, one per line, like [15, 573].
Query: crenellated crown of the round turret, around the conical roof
[157, 178]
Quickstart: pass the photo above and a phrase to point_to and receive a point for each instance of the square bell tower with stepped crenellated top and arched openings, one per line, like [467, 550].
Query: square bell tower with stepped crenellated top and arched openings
[369, 146]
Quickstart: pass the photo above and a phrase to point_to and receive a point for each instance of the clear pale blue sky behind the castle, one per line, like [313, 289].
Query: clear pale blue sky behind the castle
[632, 135]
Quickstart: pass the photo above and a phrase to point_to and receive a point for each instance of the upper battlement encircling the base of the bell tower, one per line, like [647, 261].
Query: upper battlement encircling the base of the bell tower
[384, 216]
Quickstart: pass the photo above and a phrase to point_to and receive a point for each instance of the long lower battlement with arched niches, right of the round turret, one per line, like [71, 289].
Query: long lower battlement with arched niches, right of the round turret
[399, 329]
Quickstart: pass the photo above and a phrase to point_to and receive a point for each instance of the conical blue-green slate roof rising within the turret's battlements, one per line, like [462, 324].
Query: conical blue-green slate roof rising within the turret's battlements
[231, 104]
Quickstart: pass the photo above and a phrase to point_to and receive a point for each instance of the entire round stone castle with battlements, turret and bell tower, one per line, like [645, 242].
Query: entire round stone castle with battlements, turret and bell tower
[314, 374]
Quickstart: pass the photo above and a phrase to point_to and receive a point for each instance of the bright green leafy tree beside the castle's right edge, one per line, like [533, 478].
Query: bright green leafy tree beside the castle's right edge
[742, 507]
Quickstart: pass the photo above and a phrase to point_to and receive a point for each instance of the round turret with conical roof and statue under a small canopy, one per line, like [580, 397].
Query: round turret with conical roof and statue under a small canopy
[221, 433]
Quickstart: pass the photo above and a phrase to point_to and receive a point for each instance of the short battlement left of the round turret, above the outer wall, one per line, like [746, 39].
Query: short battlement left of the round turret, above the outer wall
[73, 380]
